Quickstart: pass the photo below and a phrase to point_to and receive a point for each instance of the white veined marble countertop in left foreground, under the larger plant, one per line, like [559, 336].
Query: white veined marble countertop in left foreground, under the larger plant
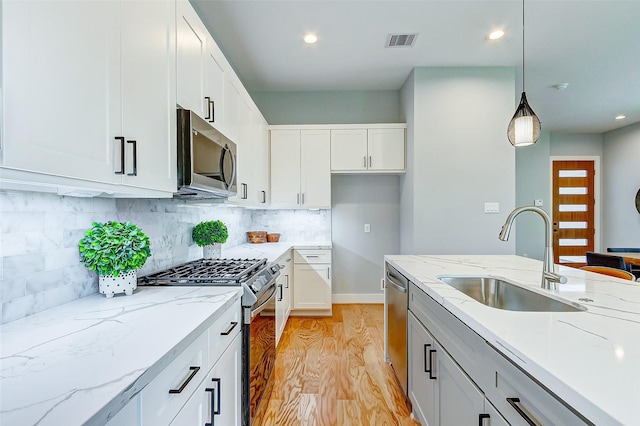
[84, 360]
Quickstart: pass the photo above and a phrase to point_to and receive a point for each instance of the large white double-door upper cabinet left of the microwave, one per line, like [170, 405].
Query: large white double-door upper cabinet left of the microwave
[89, 94]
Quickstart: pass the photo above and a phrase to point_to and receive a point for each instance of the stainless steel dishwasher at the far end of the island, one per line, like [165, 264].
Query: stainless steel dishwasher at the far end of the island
[396, 304]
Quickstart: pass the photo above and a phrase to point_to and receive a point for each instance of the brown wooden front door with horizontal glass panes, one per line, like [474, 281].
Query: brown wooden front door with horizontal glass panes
[573, 211]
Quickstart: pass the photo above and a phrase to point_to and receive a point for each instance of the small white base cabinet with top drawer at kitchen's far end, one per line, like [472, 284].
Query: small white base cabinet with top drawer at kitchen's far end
[312, 271]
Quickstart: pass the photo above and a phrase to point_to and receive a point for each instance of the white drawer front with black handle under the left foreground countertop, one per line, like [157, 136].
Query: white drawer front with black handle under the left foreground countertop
[158, 405]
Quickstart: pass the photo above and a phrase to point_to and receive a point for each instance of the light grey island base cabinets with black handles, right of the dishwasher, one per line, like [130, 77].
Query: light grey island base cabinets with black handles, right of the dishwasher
[456, 378]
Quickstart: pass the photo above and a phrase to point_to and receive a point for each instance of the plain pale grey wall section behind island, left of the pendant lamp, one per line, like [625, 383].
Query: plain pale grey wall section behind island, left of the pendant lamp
[461, 159]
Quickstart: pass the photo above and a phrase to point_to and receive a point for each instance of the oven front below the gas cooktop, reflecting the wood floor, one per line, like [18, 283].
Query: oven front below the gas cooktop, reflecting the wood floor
[262, 348]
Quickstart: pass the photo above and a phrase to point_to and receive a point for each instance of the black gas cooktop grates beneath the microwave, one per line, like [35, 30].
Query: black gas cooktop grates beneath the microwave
[204, 271]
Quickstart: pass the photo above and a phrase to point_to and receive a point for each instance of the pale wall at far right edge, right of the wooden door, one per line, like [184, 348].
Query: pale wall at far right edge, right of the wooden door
[621, 162]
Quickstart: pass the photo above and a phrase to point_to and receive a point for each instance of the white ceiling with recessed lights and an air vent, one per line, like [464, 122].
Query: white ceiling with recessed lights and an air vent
[594, 45]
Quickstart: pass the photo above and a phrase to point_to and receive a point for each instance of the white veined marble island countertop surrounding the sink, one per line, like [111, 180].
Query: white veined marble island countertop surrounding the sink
[589, 359]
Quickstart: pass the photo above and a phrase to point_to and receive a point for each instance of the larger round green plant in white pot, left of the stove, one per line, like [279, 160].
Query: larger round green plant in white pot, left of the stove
[114, 251]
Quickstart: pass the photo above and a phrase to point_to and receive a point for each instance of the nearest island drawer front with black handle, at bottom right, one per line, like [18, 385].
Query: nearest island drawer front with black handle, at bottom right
[536, 402]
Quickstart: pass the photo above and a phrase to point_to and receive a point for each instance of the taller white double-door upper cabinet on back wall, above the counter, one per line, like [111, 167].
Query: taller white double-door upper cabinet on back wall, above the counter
[300, 168]
